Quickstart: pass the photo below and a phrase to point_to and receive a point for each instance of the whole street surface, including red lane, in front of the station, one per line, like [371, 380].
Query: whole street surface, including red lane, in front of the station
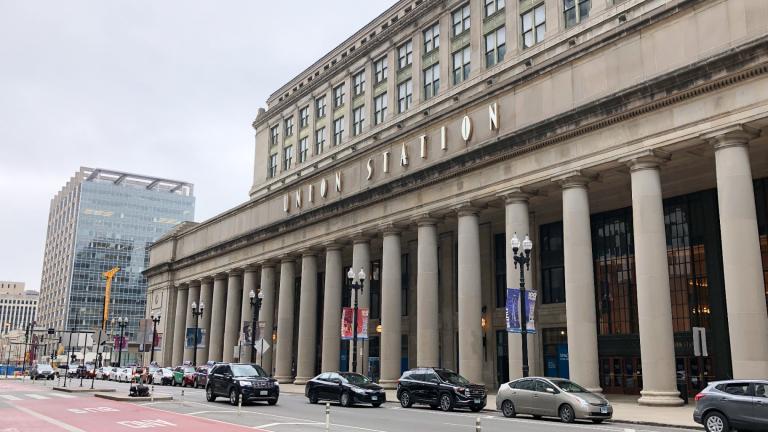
[20, 403]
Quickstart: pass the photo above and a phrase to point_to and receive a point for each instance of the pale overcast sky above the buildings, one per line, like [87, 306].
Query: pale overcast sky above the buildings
[157, 87]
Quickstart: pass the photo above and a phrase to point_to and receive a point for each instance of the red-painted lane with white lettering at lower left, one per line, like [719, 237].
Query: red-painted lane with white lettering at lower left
[90, 414]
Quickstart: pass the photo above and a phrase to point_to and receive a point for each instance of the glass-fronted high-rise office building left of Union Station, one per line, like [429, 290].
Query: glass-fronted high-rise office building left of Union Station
[99, 220]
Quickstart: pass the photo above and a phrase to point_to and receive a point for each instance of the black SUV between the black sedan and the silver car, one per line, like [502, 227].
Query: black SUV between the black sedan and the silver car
[442, 388]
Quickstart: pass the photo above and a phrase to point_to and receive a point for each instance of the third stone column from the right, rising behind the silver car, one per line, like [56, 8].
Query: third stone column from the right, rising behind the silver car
[579, 283]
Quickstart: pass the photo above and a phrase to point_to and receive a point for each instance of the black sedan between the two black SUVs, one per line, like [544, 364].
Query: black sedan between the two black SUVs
[347, 388]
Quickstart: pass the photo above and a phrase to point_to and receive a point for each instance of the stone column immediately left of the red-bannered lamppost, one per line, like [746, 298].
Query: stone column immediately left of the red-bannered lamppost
[332, 308]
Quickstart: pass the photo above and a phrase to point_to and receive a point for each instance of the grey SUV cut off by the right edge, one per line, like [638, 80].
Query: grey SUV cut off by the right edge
[736, 404]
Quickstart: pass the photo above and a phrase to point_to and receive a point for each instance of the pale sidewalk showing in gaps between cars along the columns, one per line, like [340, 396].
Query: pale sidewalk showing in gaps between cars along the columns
[625, 409]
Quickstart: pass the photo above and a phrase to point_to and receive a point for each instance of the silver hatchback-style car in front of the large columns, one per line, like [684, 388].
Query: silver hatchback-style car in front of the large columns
[551, 397]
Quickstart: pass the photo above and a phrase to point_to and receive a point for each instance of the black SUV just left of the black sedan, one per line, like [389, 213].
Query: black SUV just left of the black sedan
[236, 380]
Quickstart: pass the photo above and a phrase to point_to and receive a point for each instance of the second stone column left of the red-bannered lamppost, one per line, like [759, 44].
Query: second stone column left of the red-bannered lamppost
[305, 364]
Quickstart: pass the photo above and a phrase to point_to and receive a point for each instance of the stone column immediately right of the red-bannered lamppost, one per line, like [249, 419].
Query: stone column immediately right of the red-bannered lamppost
[391, 310]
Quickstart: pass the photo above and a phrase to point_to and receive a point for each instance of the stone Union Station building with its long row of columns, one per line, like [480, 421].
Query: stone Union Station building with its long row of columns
[625, 137]
